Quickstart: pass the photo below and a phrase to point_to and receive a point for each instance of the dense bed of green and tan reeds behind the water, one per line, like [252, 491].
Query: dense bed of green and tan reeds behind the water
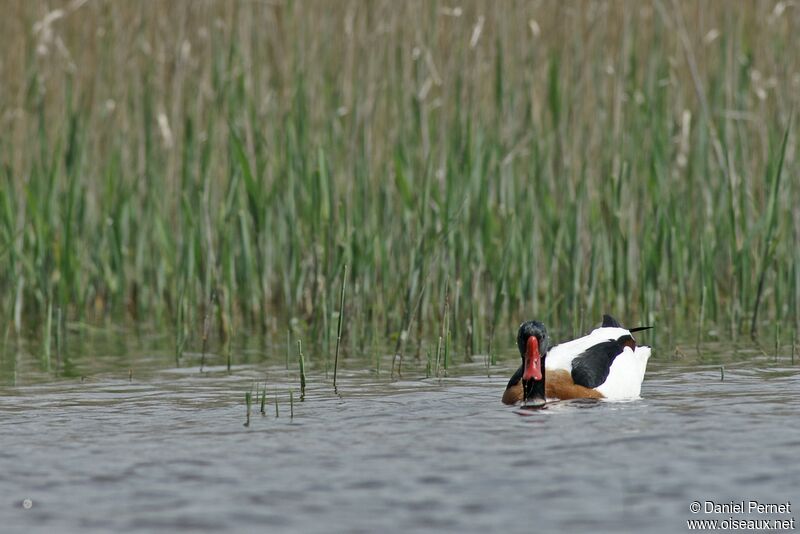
[198, 166]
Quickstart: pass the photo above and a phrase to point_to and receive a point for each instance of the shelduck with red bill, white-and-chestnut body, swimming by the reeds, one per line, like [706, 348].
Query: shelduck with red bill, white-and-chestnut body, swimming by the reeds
[607, 364]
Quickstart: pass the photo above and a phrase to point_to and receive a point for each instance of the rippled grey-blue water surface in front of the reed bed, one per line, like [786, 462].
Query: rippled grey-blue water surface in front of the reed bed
[168, 451]
